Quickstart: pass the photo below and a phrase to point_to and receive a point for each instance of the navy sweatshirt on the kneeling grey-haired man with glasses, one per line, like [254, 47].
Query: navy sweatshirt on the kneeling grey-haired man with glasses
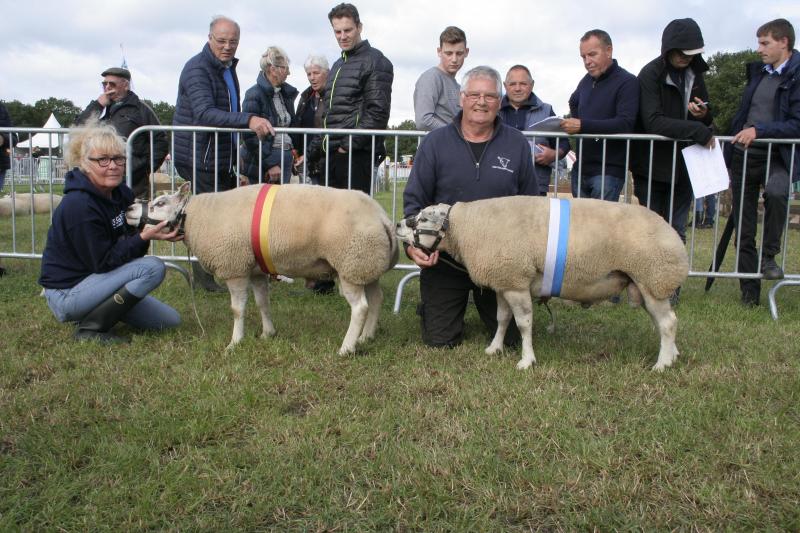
[446, 171]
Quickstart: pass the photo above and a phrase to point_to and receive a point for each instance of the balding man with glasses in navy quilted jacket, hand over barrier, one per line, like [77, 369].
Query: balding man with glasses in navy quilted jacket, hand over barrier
[208, 95]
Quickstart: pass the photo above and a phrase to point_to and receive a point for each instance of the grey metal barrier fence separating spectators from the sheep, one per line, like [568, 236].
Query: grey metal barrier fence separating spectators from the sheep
[387, 177]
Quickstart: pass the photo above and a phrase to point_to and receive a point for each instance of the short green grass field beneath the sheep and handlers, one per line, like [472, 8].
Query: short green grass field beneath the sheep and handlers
[173, 433]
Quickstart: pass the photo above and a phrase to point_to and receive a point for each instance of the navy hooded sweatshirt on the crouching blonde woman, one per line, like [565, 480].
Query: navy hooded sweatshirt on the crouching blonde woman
[88, 234]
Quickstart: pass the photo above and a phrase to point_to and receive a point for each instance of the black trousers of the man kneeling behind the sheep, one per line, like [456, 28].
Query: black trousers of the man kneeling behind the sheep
[444, 293]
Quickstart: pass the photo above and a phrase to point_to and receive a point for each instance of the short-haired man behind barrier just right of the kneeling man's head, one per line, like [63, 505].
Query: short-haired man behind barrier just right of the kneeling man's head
[522, 109]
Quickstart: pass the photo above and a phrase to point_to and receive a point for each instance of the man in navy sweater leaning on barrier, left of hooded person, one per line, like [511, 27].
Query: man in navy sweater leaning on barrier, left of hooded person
[605, 101]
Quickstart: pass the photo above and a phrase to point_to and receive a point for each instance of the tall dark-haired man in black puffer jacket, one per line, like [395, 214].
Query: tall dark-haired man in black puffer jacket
[358, 94]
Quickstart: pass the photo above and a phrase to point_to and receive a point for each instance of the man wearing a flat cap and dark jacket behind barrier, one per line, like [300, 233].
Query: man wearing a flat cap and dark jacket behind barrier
[121, 107]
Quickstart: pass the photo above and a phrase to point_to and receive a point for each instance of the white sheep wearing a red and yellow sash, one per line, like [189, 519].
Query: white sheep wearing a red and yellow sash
[314, 232]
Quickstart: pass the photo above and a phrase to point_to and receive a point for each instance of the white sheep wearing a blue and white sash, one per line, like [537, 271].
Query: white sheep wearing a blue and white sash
[503, 242]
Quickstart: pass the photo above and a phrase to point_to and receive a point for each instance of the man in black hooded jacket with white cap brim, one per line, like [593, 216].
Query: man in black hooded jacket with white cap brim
[673, 102]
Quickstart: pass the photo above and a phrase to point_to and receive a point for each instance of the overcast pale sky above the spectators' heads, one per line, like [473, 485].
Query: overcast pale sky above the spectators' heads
[59, 48]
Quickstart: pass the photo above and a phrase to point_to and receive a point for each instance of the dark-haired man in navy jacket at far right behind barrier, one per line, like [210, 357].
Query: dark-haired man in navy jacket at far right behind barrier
[770, 109]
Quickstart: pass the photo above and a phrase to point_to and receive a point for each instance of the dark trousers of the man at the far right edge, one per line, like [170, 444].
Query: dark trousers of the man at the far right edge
[776, 198]
